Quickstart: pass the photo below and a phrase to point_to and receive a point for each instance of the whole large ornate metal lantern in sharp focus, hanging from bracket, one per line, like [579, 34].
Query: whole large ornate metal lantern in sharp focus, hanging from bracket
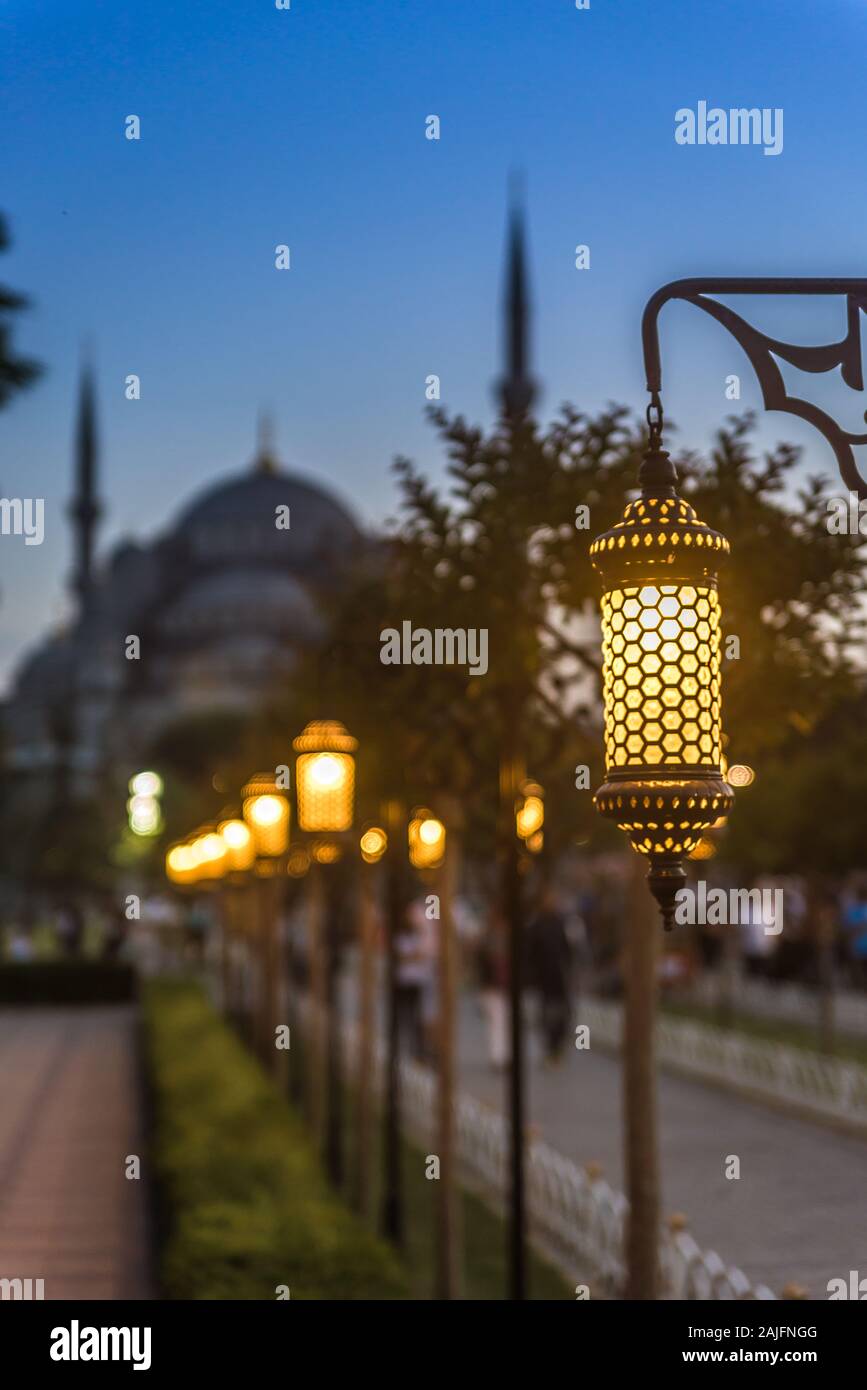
[661, 628]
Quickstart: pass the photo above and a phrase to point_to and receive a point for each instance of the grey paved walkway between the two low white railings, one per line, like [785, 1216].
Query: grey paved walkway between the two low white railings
[800, 1209]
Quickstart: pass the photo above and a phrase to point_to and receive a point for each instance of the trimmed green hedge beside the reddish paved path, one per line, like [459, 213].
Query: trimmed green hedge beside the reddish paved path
[244, 1203]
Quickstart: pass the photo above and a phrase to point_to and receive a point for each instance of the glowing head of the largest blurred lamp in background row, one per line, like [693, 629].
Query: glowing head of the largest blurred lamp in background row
[326, 776]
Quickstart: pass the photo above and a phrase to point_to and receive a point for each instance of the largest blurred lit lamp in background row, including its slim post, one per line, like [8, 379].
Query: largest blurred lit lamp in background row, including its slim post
[326, 789]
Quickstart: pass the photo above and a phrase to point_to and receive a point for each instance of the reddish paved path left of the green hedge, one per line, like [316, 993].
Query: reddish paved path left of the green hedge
[70, 1114]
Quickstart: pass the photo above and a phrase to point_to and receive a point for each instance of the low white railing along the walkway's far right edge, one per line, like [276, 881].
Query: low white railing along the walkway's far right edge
[825, 1086]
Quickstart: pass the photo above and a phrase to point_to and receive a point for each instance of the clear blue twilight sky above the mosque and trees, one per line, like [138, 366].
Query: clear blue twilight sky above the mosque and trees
[308, 127]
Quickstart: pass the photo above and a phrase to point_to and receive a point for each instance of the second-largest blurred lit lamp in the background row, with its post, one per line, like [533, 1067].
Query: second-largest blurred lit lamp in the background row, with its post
[266, 814]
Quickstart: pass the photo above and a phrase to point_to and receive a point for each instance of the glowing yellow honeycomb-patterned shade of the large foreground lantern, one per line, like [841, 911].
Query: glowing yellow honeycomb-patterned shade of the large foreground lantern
[662, 678]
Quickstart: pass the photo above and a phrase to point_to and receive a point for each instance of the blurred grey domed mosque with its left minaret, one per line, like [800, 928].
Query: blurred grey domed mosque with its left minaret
[223, 603]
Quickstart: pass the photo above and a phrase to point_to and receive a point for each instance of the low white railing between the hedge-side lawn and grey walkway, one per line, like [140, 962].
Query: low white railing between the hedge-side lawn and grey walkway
[576, 1218]
